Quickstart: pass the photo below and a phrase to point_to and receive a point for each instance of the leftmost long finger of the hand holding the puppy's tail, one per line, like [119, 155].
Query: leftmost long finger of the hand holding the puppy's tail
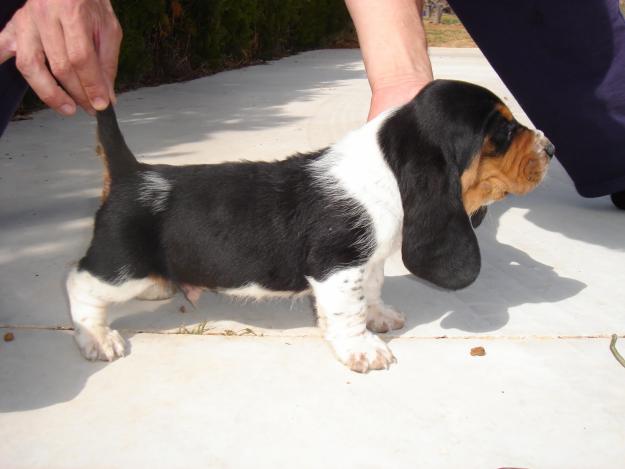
[30, 61]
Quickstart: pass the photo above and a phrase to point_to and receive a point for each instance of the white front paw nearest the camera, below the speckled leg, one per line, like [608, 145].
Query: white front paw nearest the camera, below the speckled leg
[363, 353]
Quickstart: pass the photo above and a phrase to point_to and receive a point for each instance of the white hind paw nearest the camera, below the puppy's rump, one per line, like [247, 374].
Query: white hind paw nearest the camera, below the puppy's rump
[100, 343]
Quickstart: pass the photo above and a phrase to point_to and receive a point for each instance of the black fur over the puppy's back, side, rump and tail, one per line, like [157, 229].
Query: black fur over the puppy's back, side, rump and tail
[224, 225]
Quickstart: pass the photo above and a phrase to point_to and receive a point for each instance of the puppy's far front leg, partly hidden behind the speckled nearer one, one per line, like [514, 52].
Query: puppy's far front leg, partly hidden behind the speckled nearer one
[380, 317]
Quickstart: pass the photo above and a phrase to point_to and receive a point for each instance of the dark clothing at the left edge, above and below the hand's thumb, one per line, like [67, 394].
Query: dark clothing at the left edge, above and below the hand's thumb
[12, 84]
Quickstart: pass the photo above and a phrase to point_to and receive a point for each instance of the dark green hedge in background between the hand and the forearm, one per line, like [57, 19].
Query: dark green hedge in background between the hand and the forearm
[169, 40]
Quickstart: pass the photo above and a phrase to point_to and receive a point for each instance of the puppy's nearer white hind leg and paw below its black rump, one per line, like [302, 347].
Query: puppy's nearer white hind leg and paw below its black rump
[88, 298]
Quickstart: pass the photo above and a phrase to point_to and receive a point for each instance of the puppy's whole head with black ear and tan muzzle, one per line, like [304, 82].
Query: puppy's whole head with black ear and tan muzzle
[455, 148]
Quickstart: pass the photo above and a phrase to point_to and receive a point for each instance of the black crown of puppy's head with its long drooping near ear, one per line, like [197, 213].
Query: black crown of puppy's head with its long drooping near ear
[428, 143]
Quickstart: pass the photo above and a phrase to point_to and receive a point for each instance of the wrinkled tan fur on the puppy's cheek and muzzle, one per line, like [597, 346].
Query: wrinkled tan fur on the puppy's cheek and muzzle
[518, 171]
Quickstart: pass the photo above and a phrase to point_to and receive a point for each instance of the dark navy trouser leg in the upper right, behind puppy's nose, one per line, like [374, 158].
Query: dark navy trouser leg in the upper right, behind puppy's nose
[564, 62]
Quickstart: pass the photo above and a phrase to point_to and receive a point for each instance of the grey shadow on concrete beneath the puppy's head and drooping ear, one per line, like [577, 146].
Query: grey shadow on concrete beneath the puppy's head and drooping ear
[509, 278]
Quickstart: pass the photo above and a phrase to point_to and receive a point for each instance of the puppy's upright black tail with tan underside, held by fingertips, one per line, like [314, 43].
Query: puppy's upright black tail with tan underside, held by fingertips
[118, 159]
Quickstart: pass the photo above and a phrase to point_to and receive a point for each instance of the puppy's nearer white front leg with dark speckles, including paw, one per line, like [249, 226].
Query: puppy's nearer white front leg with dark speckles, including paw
[342, 309]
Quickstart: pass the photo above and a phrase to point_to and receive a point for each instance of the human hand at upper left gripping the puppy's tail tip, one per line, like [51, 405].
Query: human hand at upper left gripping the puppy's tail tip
[80, 41]
